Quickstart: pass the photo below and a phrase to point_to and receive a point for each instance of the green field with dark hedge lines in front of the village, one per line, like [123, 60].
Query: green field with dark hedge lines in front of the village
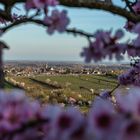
[59, 88]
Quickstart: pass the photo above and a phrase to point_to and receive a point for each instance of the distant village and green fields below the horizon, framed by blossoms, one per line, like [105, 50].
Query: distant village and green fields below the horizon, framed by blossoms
[63, 83]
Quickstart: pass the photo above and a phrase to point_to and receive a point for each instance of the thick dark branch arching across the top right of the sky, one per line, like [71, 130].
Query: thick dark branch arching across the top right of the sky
[101, 6]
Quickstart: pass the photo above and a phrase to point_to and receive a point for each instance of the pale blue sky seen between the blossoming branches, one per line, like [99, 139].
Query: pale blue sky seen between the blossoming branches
[31, 42]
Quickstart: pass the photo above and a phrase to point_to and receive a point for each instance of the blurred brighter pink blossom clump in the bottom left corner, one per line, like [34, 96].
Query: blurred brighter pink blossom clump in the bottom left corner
[18, 110]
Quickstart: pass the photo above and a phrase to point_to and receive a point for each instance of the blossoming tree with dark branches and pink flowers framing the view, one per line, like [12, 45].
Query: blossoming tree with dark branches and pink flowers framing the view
[108, 119]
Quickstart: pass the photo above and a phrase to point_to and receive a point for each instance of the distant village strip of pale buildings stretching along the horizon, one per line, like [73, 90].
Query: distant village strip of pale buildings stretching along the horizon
[52, 68]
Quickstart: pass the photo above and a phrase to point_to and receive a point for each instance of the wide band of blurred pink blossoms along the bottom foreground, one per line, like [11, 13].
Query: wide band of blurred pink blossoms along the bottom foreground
[22, 119]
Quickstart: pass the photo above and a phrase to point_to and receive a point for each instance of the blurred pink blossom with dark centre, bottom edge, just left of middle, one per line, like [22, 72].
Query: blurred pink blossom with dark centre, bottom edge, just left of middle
[65, 125]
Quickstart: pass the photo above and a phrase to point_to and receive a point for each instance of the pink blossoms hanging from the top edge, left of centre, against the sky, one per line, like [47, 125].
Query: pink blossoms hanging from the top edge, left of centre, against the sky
[57, 21]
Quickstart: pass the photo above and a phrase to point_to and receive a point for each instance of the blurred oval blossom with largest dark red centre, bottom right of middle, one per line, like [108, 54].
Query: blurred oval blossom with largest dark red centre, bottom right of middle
[101, 118]
